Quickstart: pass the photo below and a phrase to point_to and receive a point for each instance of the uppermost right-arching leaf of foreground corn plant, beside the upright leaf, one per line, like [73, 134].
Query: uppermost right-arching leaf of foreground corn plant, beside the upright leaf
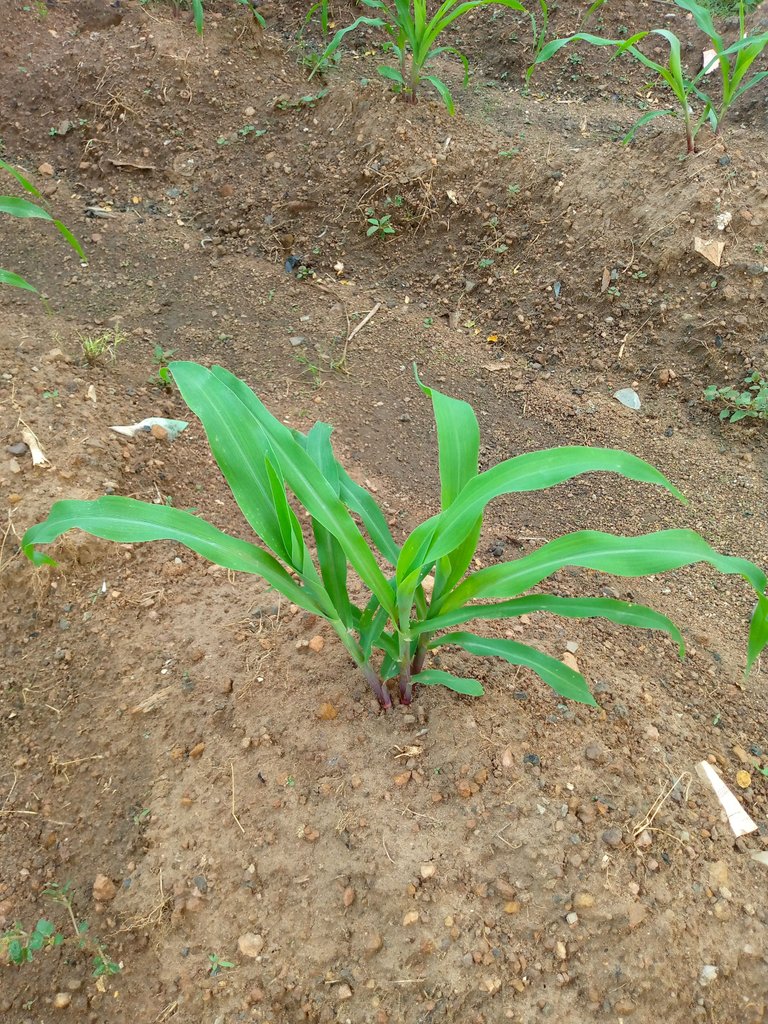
[533, 472]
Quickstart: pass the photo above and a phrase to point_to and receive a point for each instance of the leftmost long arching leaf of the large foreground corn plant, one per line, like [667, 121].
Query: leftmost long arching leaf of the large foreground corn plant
[130, 522]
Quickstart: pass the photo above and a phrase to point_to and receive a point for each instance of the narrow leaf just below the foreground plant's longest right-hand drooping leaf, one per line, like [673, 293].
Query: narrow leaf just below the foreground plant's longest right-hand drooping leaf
[621, 613]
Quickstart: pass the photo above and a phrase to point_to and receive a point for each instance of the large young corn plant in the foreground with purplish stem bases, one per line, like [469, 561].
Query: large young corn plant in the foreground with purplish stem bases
[422, 591]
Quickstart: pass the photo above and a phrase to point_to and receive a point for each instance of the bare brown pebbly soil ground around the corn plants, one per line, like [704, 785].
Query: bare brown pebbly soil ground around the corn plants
[168, 727]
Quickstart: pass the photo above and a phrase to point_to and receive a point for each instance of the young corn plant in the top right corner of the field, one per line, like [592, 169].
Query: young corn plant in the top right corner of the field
[735, 63]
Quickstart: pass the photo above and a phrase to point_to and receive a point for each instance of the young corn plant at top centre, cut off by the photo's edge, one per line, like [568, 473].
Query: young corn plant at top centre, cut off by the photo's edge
[413, 37]
